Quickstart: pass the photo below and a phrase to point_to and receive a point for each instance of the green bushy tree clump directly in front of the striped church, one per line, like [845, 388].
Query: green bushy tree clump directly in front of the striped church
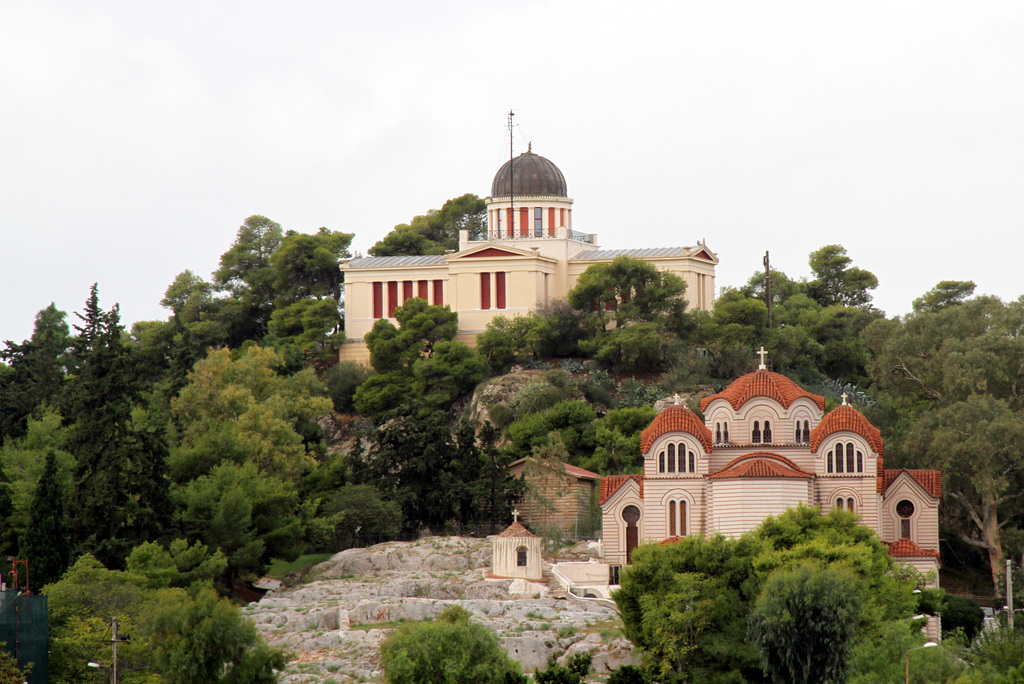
[693, 606]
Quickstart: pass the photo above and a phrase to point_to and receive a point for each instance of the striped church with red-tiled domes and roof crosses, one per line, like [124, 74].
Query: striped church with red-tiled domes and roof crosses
[765, 446]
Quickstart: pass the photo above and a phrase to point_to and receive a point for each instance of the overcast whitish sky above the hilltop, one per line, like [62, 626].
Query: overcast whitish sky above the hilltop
[136, 138]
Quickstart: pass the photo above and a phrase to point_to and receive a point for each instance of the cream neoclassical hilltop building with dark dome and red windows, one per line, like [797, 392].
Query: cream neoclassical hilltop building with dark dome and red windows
[531, 255]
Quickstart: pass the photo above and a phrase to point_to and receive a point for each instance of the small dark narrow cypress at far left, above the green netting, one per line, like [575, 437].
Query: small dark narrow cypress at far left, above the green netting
[48, 541]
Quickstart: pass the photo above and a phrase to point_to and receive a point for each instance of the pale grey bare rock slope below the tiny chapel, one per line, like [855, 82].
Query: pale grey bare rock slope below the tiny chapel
[411, 582]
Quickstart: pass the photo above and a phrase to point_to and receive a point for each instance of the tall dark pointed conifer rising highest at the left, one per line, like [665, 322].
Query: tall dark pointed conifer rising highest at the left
[121, 489]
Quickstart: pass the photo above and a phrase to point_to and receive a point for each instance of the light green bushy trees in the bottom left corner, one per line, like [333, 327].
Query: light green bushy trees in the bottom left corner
[180, 628]
